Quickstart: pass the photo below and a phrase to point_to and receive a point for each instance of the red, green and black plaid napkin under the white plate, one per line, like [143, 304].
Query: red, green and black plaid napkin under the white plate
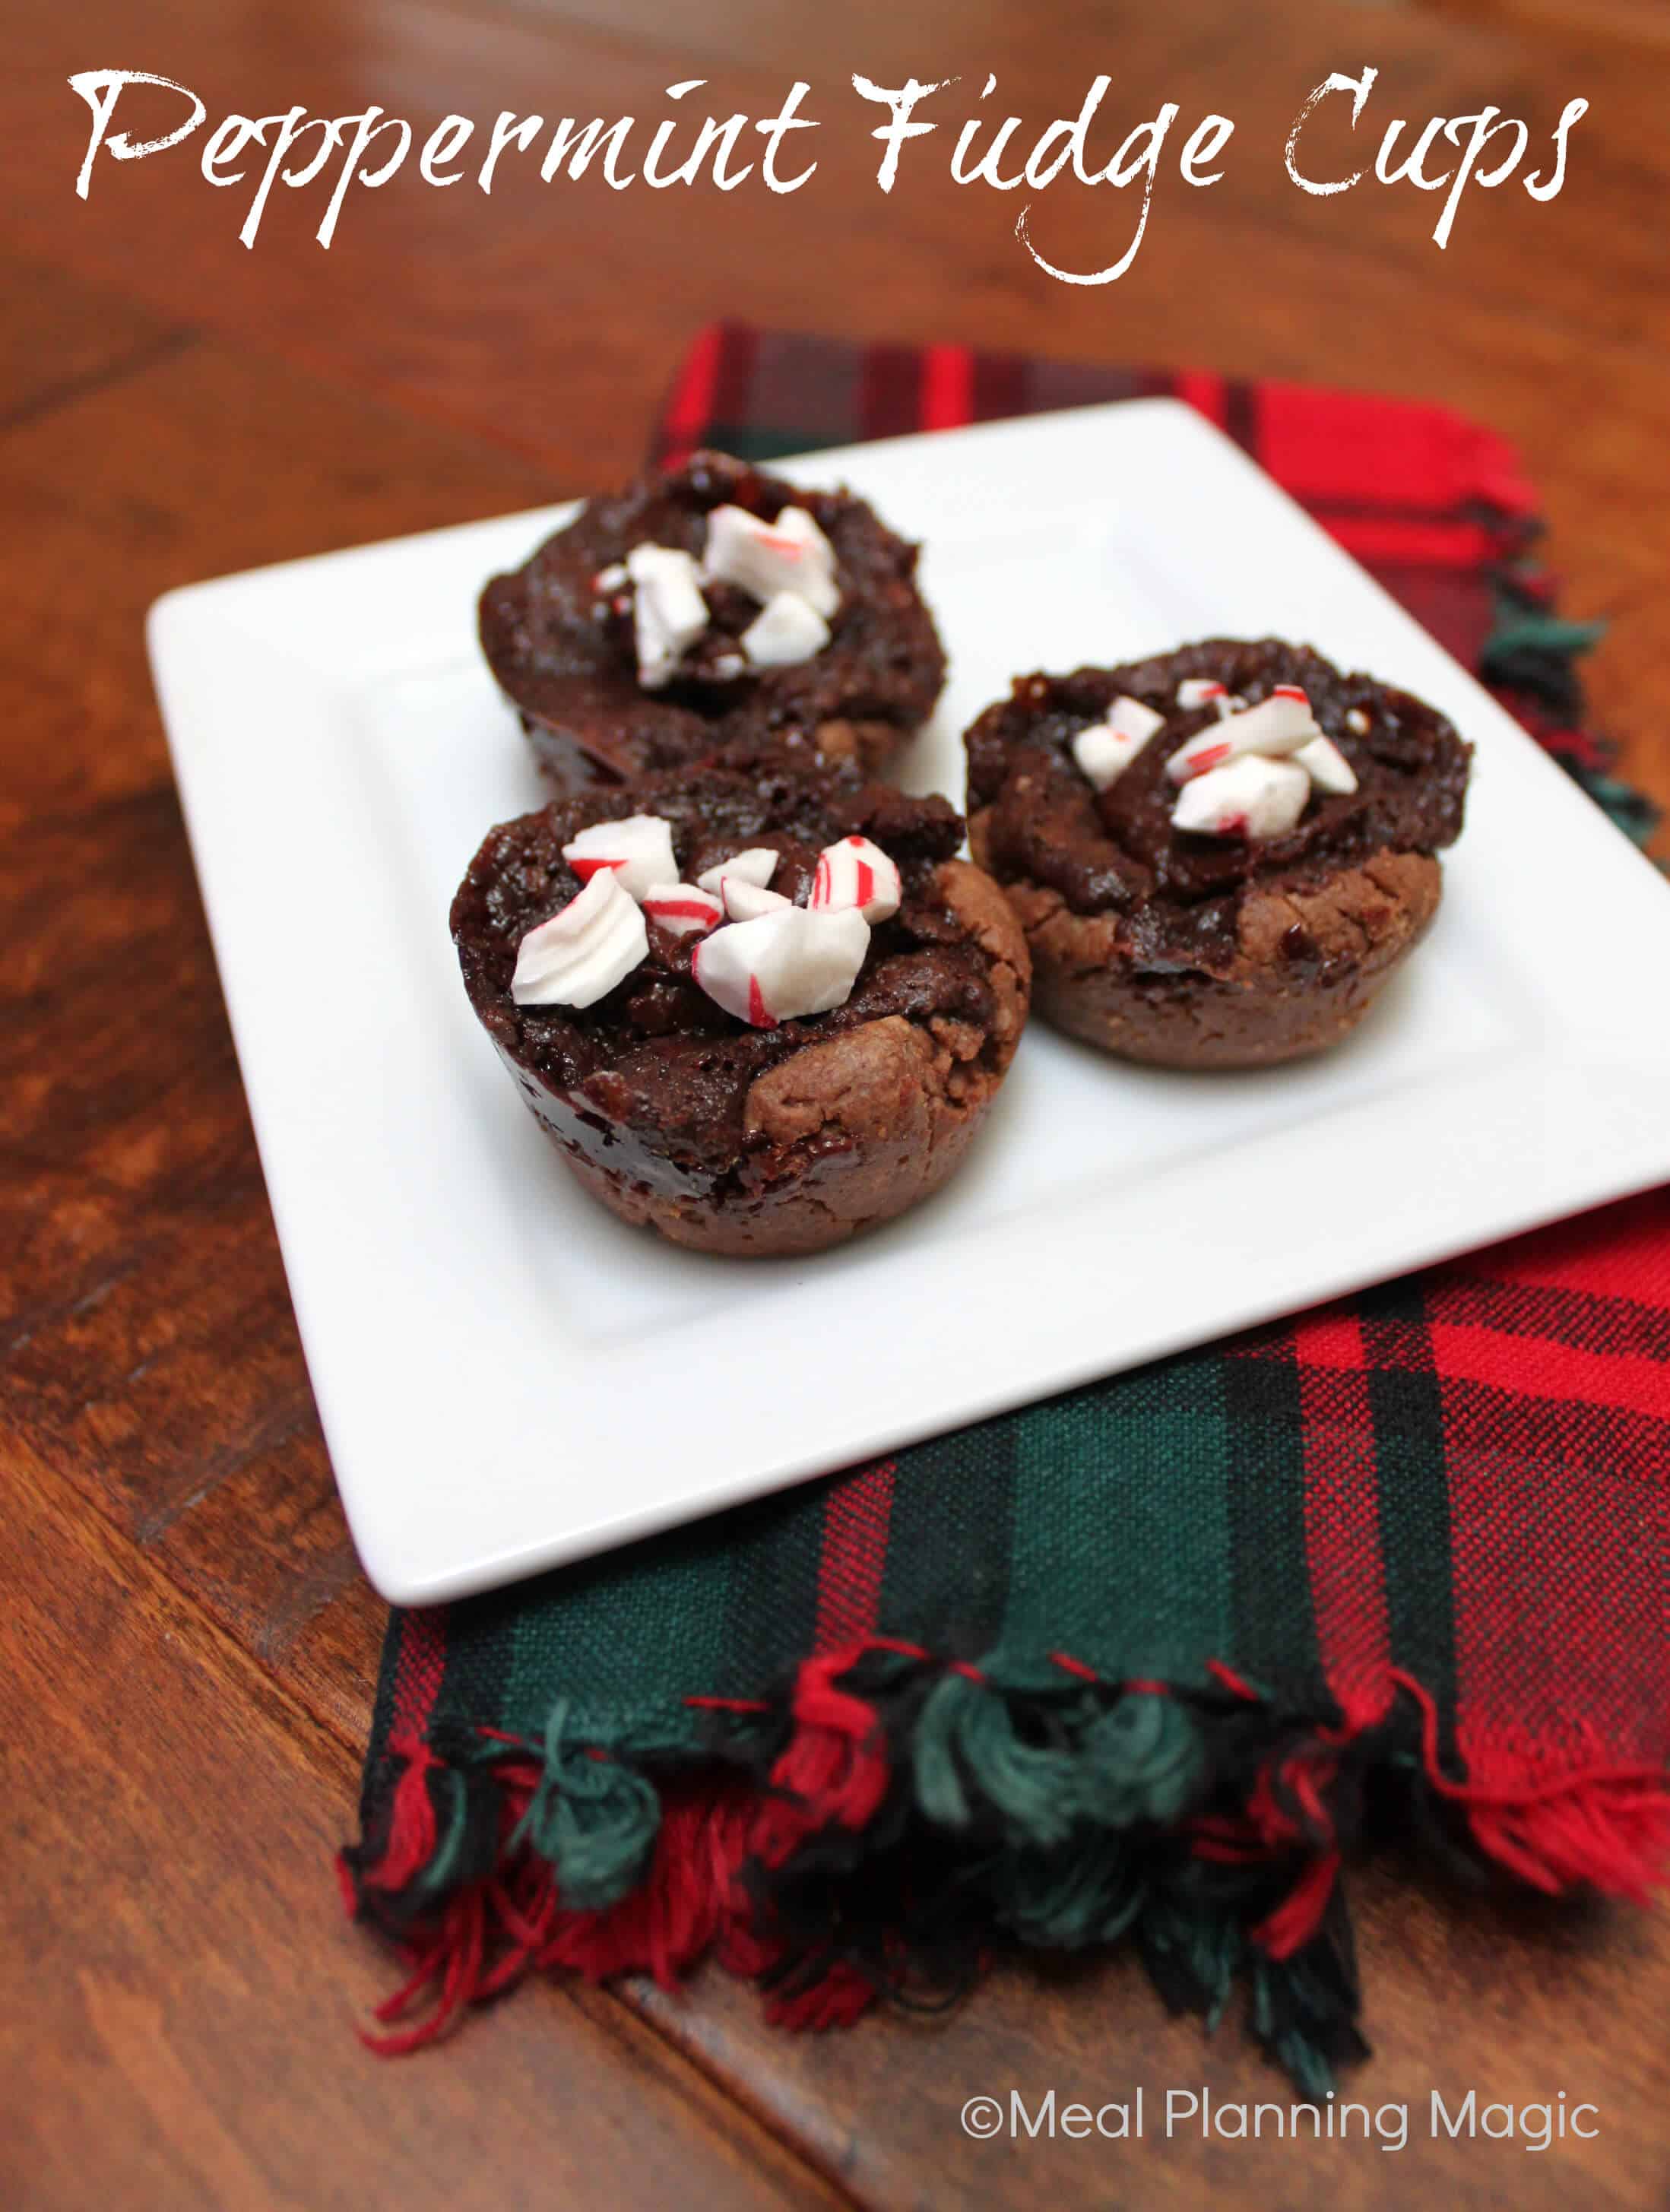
[1151, 1658]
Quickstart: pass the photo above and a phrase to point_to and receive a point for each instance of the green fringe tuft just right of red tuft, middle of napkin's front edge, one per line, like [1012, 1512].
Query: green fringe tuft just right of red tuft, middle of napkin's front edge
[966, 1740]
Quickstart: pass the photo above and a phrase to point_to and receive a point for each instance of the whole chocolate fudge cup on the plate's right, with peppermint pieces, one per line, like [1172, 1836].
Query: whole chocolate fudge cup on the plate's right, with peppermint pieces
[1218, 855]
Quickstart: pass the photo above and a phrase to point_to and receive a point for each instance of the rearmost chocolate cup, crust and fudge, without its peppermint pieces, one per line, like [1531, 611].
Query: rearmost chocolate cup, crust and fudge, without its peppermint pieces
[565, 656]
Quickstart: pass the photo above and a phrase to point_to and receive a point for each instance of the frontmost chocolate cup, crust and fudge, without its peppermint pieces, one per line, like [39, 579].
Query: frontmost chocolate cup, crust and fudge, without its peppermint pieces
[758, 1140]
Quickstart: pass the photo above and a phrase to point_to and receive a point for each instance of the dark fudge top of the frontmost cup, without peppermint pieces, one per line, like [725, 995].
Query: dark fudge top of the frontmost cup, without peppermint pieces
[658, 1056]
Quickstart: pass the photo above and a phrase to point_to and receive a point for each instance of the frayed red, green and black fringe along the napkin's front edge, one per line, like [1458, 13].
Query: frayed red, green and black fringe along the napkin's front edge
[864, 1830]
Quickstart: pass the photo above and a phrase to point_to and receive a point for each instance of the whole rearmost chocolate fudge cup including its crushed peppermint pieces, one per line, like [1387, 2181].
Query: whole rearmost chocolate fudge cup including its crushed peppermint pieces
[713, 607]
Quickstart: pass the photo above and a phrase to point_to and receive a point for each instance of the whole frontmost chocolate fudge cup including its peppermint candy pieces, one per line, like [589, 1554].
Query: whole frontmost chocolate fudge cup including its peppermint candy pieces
[755, 1010]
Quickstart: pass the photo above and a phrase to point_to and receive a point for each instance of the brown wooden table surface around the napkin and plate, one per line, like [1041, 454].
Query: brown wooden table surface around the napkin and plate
[187, 1640]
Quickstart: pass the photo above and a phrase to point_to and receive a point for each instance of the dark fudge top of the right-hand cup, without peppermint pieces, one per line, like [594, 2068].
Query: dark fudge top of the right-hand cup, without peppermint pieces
[1118, 853]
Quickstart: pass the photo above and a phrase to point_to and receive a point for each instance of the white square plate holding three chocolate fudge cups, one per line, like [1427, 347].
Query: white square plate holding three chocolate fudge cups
[512, 1379]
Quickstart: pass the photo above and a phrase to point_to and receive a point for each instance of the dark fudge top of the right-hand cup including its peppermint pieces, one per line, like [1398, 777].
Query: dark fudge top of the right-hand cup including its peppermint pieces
[1103, 786]
